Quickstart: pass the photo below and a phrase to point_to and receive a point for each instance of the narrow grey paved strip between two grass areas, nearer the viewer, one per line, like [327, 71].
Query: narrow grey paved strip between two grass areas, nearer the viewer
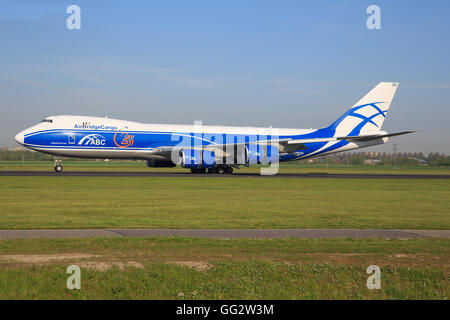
[227, 233]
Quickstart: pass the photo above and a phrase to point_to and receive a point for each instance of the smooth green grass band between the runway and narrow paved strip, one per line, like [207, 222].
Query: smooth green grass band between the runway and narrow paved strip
[196, 202]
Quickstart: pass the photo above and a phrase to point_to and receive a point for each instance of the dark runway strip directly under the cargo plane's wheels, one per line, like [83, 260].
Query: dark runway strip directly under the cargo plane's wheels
[234, 175]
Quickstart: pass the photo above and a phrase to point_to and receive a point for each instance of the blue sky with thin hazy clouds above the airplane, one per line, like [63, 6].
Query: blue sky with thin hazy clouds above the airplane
[287, 64]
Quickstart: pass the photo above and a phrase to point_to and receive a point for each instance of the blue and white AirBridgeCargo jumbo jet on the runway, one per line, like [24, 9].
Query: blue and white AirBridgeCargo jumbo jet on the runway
[212, 149]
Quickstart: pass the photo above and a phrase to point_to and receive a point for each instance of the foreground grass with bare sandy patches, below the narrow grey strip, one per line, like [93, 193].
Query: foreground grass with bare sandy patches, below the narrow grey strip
[237, 269]
